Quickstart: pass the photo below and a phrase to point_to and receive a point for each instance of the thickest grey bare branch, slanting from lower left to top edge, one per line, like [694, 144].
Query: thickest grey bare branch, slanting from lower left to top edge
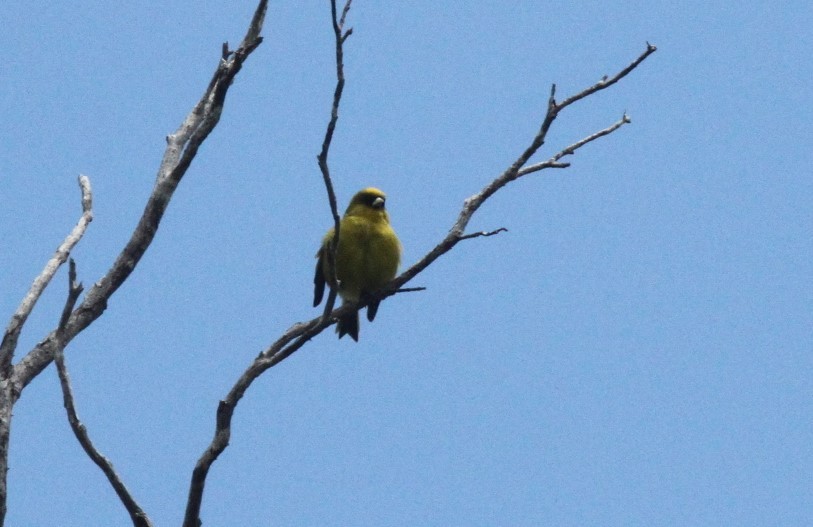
[182, 146]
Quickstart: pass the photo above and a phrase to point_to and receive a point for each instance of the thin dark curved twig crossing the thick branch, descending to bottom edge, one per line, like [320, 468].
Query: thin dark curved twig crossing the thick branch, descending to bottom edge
[137, 514]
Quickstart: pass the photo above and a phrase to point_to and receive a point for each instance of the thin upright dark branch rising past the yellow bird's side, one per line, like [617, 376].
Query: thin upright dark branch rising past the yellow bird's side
[340, 36]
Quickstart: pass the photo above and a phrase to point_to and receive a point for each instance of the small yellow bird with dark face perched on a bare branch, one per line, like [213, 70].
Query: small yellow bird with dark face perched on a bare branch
[366, 260]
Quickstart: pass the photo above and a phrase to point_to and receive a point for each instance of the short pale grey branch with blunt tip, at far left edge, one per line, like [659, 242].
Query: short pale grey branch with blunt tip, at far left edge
[14, 328]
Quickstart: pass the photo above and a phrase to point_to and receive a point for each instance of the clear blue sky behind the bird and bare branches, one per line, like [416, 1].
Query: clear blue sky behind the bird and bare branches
[635, 350]
